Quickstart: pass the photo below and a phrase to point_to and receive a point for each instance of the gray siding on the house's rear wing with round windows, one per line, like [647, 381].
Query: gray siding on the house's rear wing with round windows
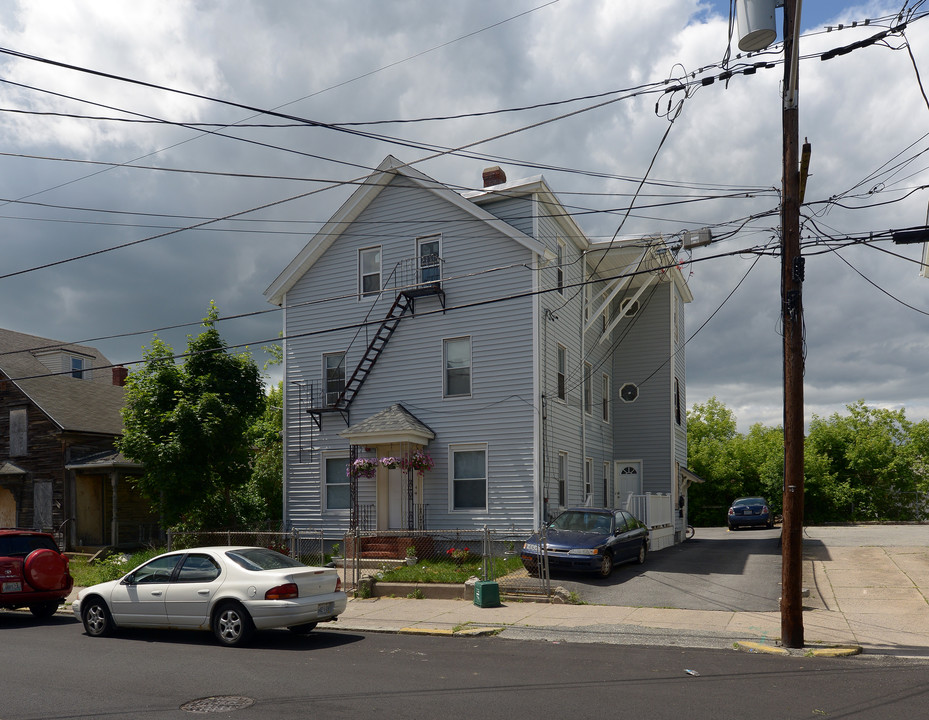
[641, 428]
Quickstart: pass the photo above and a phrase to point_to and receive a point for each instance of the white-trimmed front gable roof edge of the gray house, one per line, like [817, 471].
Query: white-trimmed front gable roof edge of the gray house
[369, 189]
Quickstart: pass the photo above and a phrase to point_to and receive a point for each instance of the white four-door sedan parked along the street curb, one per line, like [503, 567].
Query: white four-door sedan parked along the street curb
[232, 591]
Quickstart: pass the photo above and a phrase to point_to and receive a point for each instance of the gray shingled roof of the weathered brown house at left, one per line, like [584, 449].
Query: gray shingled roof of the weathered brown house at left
[89, 406]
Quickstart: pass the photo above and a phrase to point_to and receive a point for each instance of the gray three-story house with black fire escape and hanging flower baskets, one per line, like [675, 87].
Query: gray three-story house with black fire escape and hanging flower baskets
[466, 360]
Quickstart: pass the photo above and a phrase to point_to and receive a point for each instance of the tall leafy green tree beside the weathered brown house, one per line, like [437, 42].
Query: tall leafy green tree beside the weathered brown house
[188, 426]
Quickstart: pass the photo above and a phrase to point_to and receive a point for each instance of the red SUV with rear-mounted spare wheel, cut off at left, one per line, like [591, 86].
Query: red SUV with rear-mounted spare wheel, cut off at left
[33, 572]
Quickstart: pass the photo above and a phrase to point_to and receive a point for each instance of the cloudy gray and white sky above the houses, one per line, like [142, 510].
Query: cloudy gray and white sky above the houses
[90, 162]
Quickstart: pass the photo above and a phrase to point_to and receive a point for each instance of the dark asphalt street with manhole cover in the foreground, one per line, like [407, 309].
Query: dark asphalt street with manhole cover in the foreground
[54, 672]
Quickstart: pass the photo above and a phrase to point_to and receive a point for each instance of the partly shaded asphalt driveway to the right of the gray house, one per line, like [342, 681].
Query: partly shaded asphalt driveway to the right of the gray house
[716, 570]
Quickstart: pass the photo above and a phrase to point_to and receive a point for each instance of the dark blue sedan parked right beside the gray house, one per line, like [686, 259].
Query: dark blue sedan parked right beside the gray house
[588, 539]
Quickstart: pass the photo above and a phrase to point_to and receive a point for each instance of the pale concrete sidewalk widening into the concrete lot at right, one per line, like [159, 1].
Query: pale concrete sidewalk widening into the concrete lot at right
[861, 599]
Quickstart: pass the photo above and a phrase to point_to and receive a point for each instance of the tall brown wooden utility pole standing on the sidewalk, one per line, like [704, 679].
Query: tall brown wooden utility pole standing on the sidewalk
[792, 272]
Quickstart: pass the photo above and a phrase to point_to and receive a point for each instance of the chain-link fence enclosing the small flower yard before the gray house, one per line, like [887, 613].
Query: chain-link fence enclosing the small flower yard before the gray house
[420, 559]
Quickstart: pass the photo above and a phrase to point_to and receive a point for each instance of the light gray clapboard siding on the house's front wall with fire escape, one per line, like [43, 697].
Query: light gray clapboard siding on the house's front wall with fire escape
[410, 370]
